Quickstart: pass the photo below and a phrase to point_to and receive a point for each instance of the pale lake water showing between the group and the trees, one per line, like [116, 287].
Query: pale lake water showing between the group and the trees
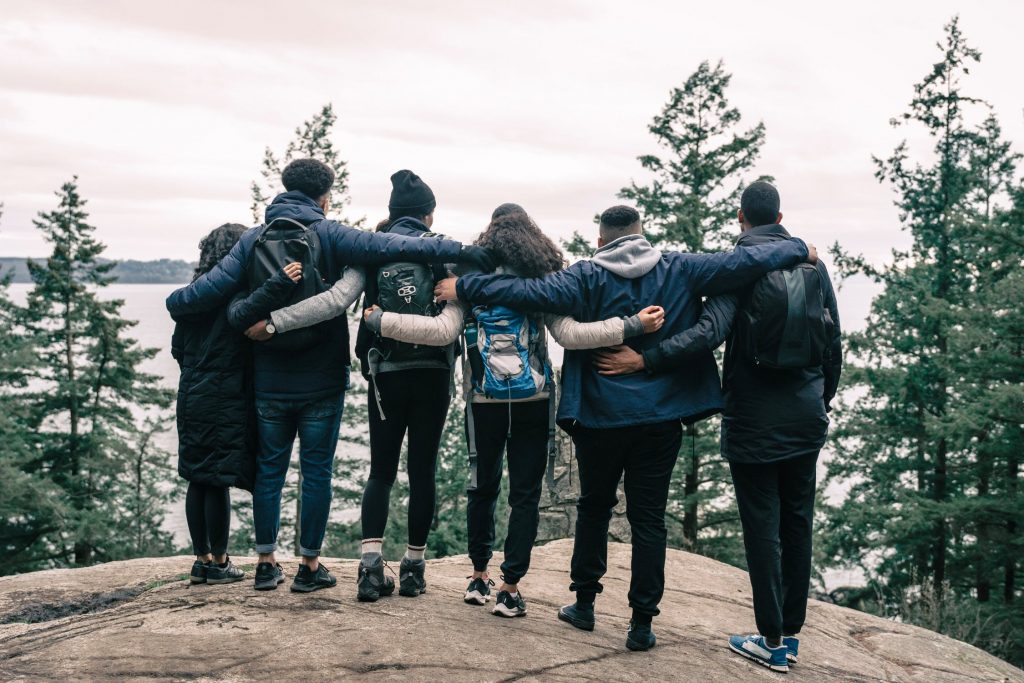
[145, 304]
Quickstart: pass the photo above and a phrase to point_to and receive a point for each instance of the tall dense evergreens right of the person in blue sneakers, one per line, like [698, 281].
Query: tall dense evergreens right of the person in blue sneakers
[931, 450]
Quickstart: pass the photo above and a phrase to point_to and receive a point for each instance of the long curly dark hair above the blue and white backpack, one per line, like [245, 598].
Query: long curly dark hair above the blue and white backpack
[520, 244]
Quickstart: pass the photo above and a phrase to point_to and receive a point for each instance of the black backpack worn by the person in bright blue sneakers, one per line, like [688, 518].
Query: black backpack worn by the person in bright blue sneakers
[784, 322]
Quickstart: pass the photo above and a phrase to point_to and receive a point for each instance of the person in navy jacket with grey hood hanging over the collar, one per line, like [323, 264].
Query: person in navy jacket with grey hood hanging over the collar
[631, 424]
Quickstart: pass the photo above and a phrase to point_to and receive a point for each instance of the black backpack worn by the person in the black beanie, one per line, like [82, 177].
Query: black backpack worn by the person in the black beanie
[409, 288]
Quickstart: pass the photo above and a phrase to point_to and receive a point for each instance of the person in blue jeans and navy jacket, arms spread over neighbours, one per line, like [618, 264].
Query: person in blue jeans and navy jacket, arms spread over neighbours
[303, 392]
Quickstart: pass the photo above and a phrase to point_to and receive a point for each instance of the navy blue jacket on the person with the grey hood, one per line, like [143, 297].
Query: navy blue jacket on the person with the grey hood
[590, 292]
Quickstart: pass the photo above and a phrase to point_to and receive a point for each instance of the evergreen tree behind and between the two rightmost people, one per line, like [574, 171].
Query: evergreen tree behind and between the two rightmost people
[691, 204]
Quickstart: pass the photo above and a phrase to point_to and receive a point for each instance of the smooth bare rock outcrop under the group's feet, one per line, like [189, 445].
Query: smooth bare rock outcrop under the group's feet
[141, 621]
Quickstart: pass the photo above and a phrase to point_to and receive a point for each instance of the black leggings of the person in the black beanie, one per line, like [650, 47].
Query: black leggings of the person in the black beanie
[416, 401]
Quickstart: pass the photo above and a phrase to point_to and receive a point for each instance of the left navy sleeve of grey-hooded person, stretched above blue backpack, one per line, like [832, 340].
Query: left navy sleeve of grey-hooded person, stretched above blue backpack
[564, 292]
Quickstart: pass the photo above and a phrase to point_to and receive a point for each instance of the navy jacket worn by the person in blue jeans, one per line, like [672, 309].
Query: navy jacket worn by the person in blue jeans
[322, 370]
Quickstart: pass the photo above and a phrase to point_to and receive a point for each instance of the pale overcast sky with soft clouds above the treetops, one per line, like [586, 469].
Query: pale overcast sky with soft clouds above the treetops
[163, 110]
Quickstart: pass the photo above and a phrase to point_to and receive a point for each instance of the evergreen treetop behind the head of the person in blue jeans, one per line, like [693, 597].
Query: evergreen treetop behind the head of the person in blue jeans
[312, 140]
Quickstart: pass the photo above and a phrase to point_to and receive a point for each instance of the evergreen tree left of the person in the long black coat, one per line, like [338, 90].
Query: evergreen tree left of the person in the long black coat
[89, 397]
